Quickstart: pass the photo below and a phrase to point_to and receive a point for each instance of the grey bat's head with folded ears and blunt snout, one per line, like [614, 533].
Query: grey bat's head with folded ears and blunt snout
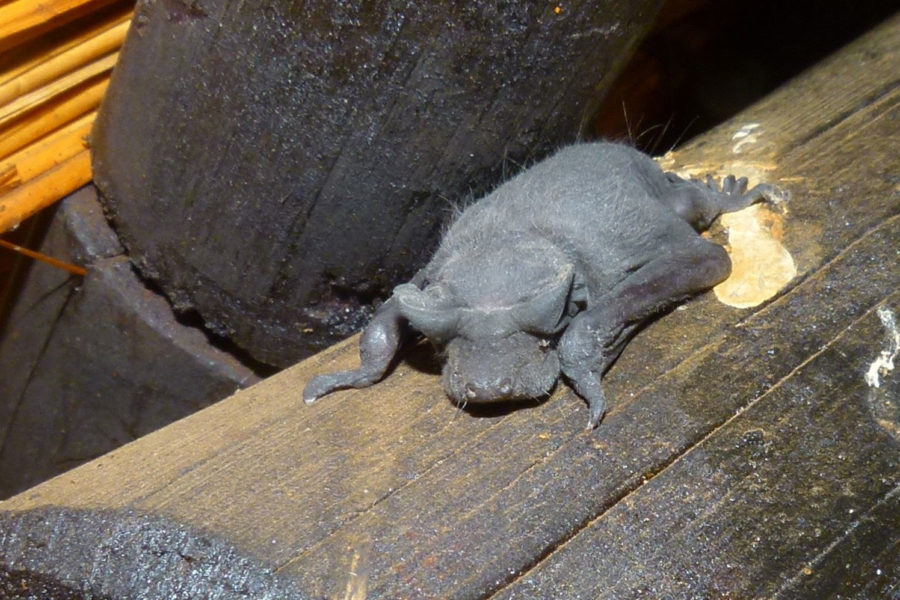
[499, 333]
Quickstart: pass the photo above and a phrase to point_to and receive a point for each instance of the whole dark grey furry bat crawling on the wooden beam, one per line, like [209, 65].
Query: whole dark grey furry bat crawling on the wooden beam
[551, 274]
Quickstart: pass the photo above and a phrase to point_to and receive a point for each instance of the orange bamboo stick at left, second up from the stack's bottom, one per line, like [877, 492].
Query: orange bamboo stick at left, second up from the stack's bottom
[46, 153]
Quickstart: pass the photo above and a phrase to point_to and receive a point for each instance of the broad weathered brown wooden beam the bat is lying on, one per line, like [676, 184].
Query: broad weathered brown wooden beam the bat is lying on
[744, 454]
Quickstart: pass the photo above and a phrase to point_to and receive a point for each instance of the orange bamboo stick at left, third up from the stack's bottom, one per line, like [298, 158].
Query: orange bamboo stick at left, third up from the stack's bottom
[51, 117]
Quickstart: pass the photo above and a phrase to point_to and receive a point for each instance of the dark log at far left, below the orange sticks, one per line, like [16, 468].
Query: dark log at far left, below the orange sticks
[87, 365]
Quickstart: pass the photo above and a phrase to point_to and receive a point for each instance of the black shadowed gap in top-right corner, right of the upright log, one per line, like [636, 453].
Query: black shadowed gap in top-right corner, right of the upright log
[707, 60]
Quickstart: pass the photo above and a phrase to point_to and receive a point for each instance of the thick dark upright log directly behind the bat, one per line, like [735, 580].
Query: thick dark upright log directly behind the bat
[278, 170]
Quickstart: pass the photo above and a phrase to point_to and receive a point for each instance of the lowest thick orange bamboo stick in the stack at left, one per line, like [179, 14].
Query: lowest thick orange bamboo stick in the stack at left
[27, 199]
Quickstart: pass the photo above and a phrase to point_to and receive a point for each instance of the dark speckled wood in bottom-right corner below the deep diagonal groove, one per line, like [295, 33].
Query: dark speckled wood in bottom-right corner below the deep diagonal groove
[768, 505]
